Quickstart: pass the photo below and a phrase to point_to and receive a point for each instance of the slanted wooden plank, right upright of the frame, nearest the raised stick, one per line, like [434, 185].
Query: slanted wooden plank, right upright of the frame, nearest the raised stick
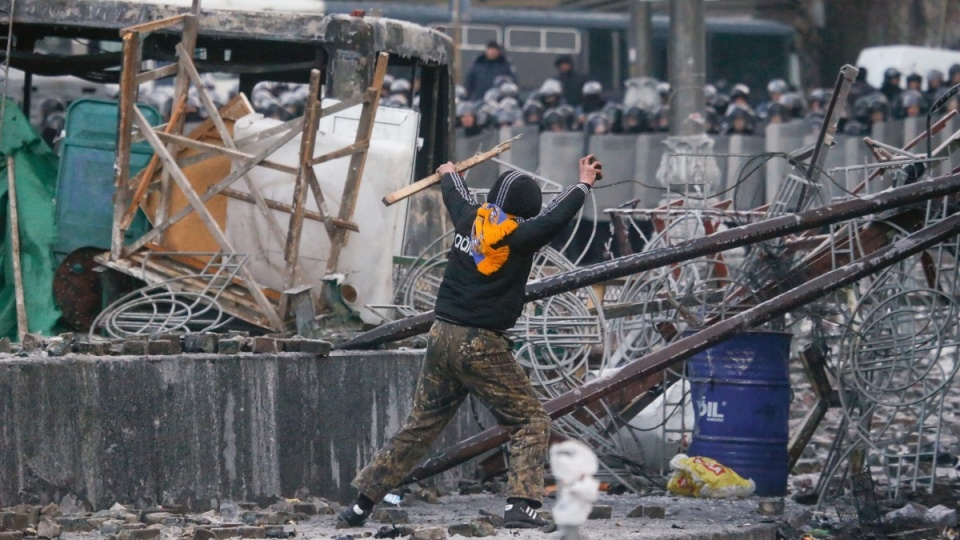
[351, 188]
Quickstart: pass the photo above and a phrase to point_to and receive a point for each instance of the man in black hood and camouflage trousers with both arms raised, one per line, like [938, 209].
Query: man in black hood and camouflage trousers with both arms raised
[480, 298]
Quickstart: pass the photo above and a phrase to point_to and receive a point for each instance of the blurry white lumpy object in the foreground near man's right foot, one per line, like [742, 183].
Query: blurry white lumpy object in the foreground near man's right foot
[573, 465]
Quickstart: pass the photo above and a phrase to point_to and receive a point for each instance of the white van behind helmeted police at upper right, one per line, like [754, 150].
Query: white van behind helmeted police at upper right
[908, 59]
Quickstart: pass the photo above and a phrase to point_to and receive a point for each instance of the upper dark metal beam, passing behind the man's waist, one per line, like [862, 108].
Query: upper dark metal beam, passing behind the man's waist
[692, 249]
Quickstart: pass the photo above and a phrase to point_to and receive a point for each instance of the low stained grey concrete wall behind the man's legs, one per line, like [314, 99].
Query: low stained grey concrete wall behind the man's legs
[194, 429]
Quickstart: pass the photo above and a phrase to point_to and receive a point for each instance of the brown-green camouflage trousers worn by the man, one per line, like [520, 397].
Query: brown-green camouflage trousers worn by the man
[462, 360]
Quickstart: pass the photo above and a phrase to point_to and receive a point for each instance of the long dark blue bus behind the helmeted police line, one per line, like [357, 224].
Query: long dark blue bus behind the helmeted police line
[598, 43]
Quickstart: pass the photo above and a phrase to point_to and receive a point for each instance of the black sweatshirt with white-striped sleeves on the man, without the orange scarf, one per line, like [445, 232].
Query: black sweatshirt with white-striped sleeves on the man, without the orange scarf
[468, 297]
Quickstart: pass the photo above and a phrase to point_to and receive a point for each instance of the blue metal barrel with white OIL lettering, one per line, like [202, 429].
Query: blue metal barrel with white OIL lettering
[741, 394]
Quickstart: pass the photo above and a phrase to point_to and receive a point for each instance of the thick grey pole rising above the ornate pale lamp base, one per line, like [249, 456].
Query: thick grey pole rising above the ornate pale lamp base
[686, 66]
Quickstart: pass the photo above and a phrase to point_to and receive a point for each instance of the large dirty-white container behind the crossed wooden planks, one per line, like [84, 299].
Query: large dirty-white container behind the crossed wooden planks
[366, 262]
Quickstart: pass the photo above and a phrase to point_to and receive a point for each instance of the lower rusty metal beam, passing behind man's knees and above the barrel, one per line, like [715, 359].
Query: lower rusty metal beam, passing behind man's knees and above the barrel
[684, 348]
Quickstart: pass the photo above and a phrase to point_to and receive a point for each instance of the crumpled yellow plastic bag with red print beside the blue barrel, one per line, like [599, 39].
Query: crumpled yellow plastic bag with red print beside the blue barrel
[703, 477]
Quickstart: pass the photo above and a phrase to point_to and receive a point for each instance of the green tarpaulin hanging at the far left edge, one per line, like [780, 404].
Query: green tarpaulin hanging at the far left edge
[35, 166]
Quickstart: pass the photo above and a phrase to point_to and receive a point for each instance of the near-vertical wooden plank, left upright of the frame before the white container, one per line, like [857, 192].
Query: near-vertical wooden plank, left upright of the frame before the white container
[311, 123]
